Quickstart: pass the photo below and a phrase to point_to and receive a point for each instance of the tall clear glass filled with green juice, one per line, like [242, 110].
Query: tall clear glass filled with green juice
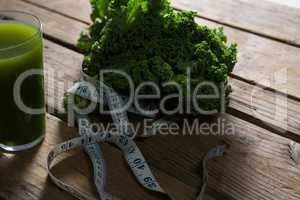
[22, 103]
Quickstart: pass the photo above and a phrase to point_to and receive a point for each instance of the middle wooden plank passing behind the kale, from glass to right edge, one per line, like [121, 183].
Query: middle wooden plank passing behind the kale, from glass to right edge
[61, 72]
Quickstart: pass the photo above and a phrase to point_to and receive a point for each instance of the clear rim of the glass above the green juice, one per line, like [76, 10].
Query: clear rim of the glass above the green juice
[31, 38]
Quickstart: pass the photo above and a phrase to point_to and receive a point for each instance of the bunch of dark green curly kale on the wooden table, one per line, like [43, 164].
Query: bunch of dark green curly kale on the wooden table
[152, 42]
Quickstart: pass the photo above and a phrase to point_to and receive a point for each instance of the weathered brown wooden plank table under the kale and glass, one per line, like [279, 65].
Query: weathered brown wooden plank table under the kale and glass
[257, 164]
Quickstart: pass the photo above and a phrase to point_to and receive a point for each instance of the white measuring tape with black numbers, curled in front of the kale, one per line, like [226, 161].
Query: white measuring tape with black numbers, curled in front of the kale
[123, 140]
